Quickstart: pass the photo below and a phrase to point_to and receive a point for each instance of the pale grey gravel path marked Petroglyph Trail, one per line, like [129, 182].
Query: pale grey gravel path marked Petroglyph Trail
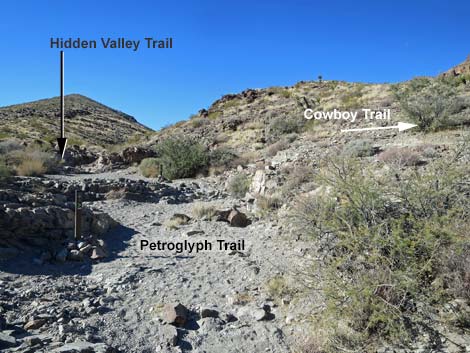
[134, 284]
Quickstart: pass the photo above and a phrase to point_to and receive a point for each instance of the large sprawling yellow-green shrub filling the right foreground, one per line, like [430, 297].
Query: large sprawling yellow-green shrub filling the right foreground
[382, 241]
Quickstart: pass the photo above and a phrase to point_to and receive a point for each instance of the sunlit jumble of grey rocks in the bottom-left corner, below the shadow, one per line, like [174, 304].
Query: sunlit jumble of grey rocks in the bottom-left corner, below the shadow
[53, 325]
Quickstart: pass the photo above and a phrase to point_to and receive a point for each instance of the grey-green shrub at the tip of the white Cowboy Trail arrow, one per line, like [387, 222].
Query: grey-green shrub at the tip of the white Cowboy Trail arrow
[430, 103]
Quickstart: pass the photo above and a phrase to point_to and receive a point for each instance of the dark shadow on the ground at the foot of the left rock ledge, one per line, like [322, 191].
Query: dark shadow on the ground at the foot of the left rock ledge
[25, 264]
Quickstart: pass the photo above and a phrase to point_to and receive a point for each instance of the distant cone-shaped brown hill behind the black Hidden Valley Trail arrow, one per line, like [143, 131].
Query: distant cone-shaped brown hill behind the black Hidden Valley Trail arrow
[87, 121]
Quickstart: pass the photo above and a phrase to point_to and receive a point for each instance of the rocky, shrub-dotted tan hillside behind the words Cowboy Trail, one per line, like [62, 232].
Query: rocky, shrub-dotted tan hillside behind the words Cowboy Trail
[255, 119]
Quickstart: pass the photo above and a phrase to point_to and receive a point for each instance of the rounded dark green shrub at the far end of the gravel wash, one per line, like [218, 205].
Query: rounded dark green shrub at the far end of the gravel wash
[181, 157]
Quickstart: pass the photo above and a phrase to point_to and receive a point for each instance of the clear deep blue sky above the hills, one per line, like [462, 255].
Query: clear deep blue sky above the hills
[221, 47]
